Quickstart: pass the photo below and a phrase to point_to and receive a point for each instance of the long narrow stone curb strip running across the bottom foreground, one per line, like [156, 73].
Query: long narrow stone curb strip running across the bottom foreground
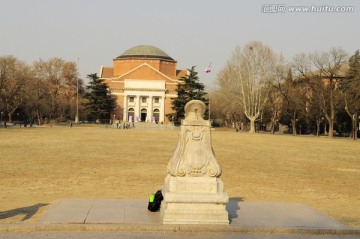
[172, 228]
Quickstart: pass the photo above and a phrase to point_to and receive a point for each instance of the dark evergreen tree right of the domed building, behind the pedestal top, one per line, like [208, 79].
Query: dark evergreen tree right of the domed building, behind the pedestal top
[188, 89]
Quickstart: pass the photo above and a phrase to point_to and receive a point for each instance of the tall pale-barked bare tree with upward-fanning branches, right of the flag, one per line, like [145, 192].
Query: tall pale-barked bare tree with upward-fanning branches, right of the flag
[248, 75]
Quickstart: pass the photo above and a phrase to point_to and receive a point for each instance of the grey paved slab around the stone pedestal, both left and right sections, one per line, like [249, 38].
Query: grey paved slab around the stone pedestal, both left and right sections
[242, 214]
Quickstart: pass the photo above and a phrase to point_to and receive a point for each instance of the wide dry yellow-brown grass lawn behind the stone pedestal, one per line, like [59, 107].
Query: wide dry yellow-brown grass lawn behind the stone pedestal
[40, 165]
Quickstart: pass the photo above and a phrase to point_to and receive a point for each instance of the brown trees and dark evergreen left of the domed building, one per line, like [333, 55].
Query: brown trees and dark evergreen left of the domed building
[49, 91]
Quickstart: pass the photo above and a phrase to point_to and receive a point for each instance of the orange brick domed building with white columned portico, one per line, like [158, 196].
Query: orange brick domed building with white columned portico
[143, 79]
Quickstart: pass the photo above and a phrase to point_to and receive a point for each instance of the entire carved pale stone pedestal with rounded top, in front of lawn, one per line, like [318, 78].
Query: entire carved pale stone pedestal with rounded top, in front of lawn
[193, 192]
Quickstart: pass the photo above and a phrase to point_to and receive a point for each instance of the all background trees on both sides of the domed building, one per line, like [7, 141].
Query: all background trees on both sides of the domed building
[317, 93]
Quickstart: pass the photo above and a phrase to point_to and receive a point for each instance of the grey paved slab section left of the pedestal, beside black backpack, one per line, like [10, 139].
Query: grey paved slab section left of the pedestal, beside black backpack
[91, 211]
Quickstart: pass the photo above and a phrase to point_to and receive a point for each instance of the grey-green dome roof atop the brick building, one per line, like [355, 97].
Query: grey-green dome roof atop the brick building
[145, 51]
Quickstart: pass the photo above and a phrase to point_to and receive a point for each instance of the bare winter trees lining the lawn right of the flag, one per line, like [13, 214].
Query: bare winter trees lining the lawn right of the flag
[313, 93]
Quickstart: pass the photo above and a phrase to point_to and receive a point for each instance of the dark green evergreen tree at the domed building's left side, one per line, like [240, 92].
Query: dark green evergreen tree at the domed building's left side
[100, 104]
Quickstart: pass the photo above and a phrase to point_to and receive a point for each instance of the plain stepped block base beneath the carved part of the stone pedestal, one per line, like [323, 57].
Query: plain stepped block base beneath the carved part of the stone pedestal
[194, 200]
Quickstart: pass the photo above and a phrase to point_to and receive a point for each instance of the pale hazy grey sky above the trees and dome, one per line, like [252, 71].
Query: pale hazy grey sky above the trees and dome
[193, 32]
